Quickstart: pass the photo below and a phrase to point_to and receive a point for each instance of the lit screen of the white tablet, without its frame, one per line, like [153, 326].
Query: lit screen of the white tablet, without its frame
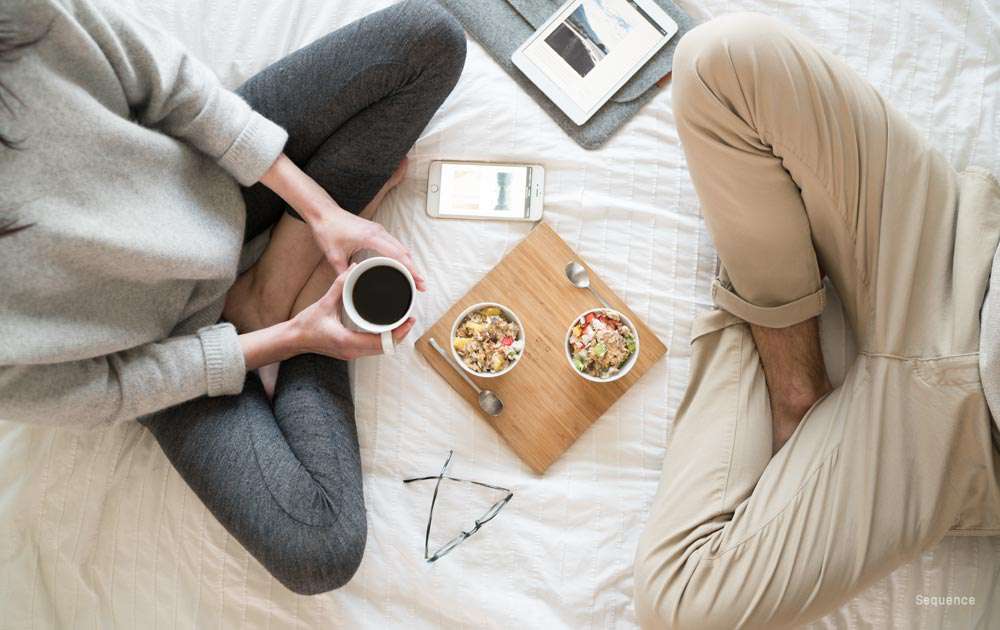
[591, 46]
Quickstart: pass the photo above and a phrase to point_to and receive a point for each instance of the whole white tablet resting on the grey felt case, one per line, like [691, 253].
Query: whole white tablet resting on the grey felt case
[590, 48]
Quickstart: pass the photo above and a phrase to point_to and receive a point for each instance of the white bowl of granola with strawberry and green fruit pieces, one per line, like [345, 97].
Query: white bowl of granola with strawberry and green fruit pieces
[602, 345]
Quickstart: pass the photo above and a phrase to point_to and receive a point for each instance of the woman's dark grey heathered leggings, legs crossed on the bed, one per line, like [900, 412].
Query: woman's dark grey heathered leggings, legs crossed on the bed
[285, 478]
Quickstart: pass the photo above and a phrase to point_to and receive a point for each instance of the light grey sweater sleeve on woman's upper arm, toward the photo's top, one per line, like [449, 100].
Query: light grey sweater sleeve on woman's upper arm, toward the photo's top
[168, 89]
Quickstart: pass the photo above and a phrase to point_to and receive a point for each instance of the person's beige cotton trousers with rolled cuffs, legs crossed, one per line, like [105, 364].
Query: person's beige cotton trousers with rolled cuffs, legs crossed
[803, 170]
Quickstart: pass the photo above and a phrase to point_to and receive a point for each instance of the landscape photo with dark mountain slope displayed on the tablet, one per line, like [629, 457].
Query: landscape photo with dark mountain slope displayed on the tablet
[589, 34]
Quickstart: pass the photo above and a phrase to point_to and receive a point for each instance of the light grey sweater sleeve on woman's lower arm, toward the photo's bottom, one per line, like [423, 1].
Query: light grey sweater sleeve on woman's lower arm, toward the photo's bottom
[127, 384]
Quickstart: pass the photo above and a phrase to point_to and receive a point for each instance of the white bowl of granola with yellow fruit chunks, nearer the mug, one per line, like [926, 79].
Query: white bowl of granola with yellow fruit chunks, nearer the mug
[487, 339]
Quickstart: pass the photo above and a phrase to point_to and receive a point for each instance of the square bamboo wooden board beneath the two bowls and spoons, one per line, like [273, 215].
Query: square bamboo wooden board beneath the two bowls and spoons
[547, 405]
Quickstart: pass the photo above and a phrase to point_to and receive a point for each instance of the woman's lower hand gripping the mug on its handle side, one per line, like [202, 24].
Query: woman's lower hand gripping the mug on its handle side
[319, 329]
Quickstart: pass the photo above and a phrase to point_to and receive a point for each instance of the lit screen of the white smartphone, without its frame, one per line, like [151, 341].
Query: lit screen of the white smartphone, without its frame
[496, 191]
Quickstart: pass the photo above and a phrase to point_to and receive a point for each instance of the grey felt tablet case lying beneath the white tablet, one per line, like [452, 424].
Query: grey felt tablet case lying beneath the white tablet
[501, 26]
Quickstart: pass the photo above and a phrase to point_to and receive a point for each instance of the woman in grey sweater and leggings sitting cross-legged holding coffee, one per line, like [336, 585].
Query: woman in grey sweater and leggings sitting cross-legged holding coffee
[124, 169]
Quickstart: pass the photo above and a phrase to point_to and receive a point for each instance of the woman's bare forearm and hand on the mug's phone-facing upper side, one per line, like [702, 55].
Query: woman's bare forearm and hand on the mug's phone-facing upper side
[338, 233]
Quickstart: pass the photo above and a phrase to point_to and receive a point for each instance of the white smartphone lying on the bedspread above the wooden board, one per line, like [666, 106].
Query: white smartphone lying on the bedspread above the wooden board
[485, 190]
